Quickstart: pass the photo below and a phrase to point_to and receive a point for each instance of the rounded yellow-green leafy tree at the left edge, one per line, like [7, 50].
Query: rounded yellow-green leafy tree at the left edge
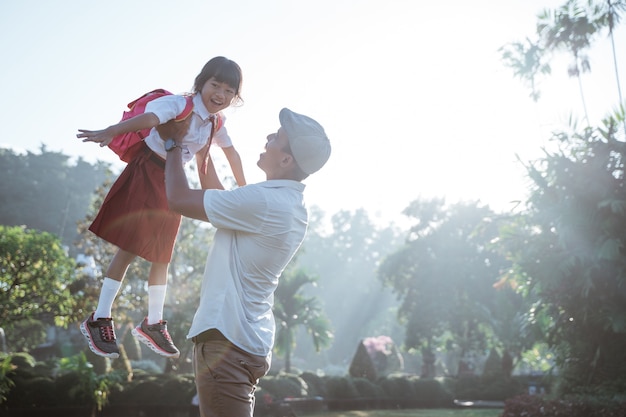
[35, 279]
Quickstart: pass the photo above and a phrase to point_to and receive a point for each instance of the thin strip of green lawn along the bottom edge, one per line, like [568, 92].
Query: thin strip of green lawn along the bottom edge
[465, 412]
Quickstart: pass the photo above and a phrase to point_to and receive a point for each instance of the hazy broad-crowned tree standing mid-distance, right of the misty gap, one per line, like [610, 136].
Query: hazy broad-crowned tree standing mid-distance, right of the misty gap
[444, 277]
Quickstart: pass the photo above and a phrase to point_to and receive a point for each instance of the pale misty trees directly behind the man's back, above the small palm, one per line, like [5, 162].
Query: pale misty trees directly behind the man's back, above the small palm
[344, 252]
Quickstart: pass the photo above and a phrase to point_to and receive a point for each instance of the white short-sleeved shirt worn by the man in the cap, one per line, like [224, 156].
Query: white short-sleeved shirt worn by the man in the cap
[259, 229]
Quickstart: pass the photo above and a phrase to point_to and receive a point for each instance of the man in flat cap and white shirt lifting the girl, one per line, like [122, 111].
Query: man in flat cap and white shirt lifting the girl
[259, 229]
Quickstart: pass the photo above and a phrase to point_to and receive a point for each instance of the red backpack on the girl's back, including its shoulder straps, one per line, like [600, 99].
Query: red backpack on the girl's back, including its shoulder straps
[125, 145]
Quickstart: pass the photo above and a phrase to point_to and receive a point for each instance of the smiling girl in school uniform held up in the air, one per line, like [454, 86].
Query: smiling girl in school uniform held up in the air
[135, 215]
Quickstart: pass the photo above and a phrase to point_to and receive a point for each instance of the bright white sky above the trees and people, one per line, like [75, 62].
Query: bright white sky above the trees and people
[413, 94]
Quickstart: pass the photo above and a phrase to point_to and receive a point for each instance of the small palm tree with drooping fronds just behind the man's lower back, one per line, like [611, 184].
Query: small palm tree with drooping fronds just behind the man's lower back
[293, 310]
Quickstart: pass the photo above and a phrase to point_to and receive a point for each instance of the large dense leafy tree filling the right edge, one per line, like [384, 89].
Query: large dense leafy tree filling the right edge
[568, 253]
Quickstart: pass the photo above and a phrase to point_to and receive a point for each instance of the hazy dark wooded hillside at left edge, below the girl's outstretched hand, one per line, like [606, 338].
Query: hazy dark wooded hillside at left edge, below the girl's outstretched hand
[46, 192]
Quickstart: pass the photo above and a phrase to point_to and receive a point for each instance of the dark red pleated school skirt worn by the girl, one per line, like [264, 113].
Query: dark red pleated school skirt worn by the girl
[135, 215]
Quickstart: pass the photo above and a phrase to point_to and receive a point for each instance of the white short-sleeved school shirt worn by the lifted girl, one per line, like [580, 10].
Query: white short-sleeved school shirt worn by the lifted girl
[167, 108]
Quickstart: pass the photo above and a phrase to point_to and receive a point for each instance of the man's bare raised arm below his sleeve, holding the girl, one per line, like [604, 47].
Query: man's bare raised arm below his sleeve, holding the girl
[180, 198]
